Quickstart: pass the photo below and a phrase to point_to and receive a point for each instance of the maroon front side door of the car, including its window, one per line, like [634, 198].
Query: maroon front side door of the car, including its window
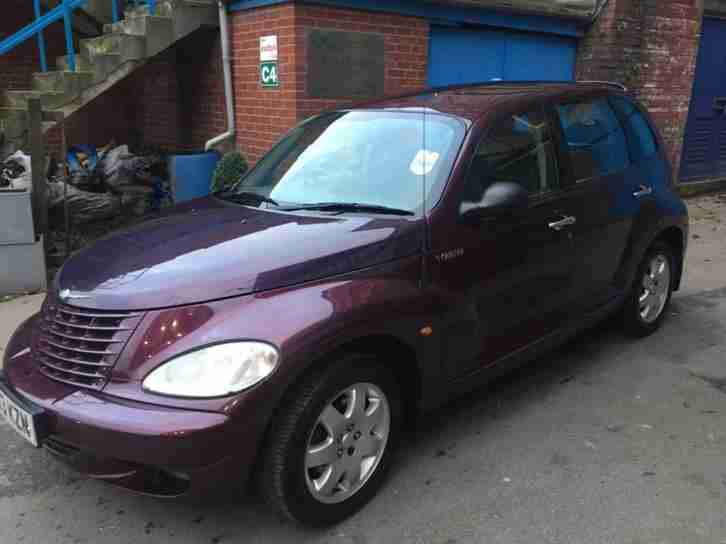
[508, 279]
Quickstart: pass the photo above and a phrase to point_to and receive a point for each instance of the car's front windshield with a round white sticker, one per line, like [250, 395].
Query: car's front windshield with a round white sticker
[370, 160]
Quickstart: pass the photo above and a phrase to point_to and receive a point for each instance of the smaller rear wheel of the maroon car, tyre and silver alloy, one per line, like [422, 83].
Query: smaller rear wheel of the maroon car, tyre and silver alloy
[652, 288]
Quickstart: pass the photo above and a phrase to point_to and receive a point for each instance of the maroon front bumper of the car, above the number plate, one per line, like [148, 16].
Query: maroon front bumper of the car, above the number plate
[144, 447]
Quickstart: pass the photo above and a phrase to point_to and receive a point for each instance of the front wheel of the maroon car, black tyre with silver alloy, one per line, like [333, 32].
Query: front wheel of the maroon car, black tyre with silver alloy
[321, 409]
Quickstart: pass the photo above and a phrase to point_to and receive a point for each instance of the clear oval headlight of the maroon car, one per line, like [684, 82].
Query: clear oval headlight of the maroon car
[214, 371]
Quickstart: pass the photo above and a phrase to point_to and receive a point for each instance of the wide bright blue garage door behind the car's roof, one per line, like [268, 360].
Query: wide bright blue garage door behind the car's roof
[459, 56]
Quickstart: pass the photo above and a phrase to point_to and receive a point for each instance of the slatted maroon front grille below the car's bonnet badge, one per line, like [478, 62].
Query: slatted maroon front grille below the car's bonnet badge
[80, 347]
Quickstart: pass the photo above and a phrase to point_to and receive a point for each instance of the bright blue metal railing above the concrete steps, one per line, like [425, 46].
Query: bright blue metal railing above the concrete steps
[63, 11]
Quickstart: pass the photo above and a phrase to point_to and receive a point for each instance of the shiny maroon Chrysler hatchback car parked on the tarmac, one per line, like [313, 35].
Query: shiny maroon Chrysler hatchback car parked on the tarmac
[376, 262]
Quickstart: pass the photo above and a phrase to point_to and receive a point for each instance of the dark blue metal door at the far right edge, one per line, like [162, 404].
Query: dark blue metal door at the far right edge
[704, 146]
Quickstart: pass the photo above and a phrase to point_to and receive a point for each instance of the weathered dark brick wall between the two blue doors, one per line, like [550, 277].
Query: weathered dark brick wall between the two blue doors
[651, 46]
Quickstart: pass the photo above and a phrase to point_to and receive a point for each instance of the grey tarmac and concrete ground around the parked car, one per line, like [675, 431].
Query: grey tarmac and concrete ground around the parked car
[608, 440]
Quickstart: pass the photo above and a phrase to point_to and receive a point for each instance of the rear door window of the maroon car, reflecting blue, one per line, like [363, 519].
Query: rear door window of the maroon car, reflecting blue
[594, 138]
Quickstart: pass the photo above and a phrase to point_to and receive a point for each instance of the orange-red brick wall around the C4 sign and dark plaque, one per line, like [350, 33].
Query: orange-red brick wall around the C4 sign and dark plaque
[263, 115]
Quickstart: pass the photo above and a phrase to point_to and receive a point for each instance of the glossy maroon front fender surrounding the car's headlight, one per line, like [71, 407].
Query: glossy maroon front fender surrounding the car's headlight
[305, 322]
